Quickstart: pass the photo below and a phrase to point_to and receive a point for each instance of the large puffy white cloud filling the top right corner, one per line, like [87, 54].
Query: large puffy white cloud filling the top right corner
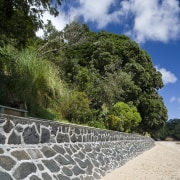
[153, 19]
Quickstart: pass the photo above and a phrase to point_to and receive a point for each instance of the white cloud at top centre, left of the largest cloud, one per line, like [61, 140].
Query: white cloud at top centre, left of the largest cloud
[98, 12]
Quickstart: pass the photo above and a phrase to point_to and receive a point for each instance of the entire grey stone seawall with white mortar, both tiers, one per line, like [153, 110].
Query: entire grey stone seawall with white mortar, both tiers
[35, 149]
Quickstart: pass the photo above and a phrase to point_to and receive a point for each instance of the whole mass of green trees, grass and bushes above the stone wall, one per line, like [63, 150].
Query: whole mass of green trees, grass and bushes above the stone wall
[99, 79]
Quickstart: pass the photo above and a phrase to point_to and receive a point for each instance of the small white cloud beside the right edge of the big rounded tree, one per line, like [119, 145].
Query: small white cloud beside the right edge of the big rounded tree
[167, 76]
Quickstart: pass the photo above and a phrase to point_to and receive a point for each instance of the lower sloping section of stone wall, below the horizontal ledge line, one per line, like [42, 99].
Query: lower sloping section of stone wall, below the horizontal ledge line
[91, 161]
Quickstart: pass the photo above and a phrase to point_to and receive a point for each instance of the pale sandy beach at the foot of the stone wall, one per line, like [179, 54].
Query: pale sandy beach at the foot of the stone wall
[162, 162]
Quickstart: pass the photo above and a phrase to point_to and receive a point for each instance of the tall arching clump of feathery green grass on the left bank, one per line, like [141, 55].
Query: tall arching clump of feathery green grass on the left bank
[28, 80]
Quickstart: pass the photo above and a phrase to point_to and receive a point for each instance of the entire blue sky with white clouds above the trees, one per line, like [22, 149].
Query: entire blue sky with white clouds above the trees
[153, 24]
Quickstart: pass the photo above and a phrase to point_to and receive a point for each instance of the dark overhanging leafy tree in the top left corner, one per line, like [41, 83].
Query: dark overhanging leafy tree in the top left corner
[21, 19]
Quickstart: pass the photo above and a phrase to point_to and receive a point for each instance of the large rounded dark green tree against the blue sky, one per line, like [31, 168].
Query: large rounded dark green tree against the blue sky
[114, 69]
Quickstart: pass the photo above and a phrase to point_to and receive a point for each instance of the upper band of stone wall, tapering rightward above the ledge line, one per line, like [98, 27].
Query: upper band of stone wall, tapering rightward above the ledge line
[34, 131]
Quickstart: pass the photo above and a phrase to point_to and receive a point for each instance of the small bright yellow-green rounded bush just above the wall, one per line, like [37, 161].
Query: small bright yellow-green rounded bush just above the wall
[123, 117]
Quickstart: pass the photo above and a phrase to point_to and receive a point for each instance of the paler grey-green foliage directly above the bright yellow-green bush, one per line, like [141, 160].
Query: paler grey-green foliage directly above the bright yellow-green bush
[114, 87]
